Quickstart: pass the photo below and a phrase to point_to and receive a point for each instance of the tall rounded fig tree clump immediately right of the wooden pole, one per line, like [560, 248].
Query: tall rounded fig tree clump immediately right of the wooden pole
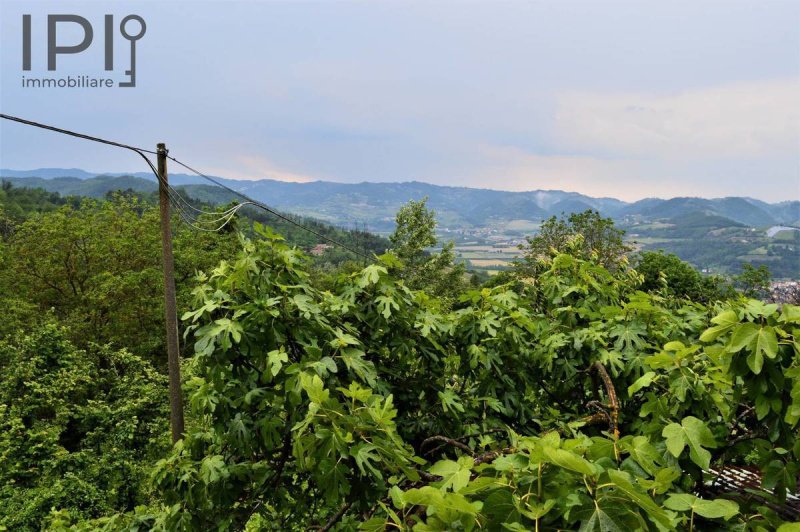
[283, 393]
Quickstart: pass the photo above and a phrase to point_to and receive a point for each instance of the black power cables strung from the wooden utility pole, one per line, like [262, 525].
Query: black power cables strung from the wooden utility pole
[174, 195]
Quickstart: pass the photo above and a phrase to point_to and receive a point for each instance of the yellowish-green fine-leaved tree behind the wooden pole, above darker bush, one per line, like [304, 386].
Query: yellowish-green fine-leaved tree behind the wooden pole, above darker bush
[97, 267]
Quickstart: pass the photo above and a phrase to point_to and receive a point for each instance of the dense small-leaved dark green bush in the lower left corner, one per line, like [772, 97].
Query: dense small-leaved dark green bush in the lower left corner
[78, 429]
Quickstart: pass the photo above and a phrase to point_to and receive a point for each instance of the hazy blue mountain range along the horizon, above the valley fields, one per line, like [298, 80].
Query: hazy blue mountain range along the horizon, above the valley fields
[376, 203]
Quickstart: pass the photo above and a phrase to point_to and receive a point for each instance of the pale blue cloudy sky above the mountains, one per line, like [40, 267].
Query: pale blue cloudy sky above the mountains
[628, 99]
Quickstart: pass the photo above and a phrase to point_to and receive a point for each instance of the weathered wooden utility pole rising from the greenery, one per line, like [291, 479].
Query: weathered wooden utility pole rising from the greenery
[170, 306]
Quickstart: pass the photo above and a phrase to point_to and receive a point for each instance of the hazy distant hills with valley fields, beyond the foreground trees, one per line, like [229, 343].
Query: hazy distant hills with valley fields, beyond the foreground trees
[714, 235]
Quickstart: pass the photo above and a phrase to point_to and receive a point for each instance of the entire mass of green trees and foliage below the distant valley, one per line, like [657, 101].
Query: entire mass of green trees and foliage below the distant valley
[578, 390]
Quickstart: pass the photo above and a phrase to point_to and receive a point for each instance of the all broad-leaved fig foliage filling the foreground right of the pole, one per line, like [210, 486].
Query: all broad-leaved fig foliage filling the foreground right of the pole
[371, 403]
